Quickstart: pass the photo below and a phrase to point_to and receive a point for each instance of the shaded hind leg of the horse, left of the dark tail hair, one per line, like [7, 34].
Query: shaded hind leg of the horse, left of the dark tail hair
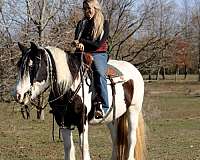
[113, 132]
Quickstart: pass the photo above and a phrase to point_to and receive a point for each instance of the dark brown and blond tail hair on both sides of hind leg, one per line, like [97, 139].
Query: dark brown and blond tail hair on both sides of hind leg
[122, 139]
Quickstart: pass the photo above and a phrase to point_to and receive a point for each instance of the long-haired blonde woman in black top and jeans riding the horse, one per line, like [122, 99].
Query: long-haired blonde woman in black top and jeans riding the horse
[91, 35]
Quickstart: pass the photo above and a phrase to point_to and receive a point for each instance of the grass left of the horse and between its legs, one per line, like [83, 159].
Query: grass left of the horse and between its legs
[32, 139]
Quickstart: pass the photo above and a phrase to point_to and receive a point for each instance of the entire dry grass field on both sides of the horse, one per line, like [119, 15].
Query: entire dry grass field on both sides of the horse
[172, 115]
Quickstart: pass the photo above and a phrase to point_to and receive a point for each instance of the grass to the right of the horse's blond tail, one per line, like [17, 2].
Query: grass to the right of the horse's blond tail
[172, 117]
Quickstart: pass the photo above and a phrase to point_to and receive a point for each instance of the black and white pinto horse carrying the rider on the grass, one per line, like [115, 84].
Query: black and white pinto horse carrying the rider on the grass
[70, 98]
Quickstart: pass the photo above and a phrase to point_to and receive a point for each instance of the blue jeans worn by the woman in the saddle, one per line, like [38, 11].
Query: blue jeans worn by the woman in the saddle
[99, 68]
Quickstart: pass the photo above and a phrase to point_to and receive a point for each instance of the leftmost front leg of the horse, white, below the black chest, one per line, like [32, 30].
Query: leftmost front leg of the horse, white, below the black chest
[68, 144]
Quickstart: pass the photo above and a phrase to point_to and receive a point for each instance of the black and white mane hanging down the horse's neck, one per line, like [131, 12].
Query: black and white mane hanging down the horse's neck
[66, 67]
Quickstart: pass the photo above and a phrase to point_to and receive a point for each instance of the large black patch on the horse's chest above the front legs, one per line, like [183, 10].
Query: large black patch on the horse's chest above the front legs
[69, 113]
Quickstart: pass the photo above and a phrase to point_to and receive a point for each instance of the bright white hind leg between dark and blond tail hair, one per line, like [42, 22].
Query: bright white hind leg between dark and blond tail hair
[132, 138]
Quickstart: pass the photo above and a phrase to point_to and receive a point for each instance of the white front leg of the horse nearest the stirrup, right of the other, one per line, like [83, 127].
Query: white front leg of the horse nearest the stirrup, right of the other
[83, 141]
